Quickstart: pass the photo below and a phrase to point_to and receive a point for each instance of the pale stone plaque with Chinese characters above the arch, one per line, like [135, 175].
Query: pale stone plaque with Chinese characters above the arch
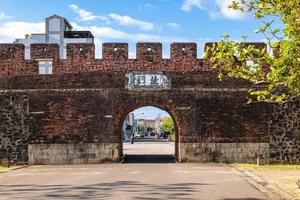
[148, 81]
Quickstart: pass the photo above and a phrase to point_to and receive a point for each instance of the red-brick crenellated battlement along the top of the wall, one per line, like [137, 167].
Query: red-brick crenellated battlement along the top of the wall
[80, 58]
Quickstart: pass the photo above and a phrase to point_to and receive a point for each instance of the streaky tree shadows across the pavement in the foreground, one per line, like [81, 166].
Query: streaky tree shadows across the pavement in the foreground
[110, 190]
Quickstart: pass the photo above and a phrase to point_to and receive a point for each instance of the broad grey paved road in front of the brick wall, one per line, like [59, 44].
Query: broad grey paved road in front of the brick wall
[127, 181]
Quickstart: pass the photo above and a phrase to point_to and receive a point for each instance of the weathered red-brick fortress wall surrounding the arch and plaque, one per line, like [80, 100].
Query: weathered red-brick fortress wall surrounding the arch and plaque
[66, 111]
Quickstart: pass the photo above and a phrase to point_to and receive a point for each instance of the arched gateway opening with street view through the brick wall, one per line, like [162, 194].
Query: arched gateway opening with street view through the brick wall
[149, 134]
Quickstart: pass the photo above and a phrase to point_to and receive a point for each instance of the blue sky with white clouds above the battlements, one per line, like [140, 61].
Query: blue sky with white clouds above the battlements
[132, 21]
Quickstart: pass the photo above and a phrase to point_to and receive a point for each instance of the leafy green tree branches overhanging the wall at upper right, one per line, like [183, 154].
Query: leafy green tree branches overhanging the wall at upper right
[274, 77]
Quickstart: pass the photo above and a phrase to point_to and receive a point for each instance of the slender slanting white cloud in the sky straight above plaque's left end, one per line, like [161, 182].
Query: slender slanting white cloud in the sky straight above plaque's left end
[129, 21]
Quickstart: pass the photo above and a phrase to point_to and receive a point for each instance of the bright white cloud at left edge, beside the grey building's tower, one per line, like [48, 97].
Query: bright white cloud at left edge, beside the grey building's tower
[9, 31]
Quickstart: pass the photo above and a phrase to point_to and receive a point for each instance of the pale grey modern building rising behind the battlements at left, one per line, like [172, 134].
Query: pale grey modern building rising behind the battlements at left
[58, 31]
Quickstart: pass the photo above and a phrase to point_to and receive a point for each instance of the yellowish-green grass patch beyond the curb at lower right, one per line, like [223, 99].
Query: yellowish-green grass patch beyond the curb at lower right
[285, 176]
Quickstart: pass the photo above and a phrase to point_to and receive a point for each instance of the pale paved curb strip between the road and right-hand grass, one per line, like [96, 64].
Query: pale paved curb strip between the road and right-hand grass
[271, 190]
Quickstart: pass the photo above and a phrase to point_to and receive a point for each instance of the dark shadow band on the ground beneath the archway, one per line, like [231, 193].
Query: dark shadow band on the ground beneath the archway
[149, 159]
